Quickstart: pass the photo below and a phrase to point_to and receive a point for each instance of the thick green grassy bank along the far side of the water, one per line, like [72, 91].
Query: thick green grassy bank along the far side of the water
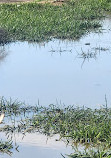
[40, 22]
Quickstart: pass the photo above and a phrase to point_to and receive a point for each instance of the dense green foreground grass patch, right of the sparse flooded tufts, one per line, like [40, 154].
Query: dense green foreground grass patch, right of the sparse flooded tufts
[85, 126]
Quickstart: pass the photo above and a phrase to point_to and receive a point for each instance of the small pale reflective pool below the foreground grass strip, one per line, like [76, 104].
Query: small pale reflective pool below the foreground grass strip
[37, 145]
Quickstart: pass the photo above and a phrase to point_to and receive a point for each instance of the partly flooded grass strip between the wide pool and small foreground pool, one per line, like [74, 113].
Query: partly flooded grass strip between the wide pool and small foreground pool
[82, 125]
